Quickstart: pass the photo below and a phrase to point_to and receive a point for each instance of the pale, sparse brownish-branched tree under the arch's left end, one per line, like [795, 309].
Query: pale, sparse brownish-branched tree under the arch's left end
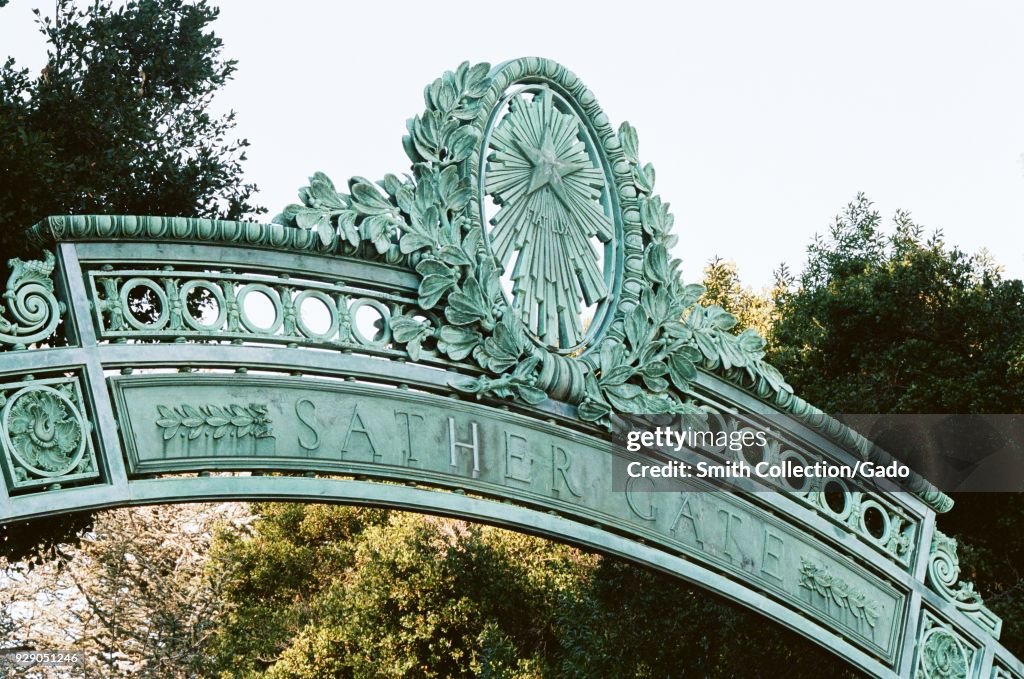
[133, 595]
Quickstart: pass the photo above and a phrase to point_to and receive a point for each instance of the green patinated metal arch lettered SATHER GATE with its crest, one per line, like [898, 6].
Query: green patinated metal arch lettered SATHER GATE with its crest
[456, 342]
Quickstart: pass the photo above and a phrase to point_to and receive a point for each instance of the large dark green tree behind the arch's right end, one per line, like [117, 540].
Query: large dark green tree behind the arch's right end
[903, 323]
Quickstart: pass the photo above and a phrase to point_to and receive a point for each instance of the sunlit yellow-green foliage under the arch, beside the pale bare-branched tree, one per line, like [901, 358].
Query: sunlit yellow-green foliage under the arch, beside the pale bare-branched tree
[338, 591]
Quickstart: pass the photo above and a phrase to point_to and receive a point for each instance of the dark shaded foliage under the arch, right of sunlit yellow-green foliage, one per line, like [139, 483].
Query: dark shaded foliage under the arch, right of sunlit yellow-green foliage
[629, 622]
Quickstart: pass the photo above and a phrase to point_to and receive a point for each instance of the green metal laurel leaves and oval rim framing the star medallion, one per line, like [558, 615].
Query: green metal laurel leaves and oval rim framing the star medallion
[650, 356]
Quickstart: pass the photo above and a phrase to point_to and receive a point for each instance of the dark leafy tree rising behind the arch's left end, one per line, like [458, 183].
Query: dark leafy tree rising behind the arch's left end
[118, 121]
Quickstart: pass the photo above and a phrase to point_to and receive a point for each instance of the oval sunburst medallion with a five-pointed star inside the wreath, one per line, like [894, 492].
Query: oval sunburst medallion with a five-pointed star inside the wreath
[549, 217]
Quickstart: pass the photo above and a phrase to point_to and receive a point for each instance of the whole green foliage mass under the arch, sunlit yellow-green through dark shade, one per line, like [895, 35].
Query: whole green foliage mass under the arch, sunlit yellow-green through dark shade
[320, 591]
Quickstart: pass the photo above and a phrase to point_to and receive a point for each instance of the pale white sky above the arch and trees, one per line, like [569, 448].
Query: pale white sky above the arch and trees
[762, 119]
